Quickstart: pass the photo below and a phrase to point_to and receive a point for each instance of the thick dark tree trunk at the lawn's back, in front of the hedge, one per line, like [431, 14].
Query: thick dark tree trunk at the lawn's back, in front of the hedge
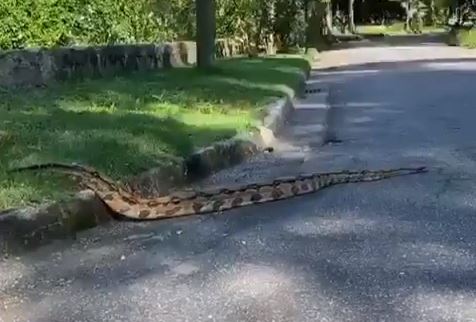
[206, 29]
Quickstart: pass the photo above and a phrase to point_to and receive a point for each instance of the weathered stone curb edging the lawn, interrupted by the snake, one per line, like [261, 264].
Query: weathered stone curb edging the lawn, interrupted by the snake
[28, 228]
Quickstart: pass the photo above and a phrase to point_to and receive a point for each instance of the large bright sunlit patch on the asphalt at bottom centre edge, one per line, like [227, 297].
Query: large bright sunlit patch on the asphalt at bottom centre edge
[272, 291]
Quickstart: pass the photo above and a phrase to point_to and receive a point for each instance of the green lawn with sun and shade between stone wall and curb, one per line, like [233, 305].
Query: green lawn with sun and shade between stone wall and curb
[125, 125]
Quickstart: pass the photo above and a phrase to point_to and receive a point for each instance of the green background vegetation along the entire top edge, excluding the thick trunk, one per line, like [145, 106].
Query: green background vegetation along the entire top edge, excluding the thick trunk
[49, 23]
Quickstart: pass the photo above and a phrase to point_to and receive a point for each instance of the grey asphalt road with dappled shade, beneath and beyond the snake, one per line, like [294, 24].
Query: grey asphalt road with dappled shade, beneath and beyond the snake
[402, 249]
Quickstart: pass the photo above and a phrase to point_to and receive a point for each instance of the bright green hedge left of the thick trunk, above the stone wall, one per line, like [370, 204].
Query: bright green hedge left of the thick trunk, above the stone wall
[49, 23]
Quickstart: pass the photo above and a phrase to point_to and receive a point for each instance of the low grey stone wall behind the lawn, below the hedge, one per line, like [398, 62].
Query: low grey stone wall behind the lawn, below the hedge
[37, 67]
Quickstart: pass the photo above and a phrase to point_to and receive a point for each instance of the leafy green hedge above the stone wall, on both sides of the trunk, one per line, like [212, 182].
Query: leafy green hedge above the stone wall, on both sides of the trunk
[50, 23]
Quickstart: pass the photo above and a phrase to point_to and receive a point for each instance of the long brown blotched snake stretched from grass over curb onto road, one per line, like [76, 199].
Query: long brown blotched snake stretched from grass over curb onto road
[121, 200]
